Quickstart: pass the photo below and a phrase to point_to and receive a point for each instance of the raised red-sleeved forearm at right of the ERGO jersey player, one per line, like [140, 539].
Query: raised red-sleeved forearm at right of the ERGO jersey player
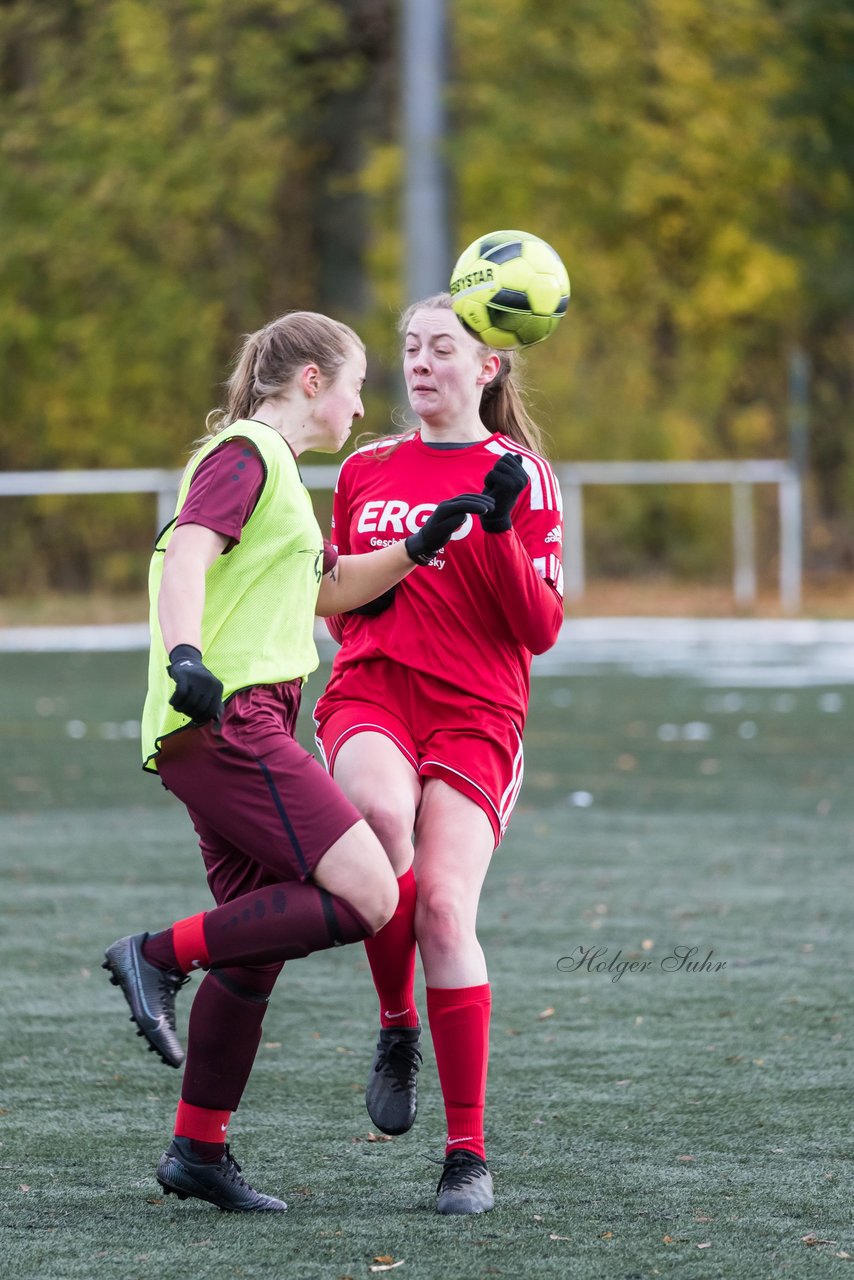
[532, 607]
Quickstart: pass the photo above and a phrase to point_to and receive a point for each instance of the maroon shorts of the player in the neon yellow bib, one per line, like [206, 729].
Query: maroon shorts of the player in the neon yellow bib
[266, 811]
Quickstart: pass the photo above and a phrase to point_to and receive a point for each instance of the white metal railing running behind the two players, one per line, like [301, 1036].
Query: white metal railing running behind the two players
[741, 477]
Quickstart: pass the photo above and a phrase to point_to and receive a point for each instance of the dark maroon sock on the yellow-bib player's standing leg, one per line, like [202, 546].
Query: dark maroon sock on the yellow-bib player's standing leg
[225, 1035]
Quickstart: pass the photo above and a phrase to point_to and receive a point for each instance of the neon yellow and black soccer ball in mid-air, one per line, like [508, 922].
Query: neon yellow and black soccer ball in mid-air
[510, 289]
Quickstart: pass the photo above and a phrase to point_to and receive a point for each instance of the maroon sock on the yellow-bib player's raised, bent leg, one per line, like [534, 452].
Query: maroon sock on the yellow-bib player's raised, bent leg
[280, 922]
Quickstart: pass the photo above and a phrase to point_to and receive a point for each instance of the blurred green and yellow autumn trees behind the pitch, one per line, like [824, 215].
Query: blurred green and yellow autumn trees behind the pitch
[173, 173]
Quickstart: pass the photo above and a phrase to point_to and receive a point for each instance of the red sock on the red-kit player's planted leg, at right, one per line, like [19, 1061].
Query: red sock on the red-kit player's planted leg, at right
[460, 1028]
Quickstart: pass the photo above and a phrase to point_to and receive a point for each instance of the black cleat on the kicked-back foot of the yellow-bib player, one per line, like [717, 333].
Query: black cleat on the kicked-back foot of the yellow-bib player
[150, 993]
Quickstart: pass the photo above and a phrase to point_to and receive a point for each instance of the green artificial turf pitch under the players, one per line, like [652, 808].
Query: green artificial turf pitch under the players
[702, 1108]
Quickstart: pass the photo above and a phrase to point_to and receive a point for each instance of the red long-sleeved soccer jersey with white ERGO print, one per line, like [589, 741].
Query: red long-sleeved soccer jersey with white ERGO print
[487, 602]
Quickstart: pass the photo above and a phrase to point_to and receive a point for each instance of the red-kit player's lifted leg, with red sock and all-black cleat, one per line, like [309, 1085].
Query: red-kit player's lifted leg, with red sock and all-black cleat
[386, 789]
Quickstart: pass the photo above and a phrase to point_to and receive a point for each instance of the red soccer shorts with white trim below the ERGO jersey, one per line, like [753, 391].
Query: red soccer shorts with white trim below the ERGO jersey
[472, 746]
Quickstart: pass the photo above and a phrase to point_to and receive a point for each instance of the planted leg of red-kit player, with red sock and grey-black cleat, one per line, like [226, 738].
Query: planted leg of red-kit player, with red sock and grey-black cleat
[454, 843]
